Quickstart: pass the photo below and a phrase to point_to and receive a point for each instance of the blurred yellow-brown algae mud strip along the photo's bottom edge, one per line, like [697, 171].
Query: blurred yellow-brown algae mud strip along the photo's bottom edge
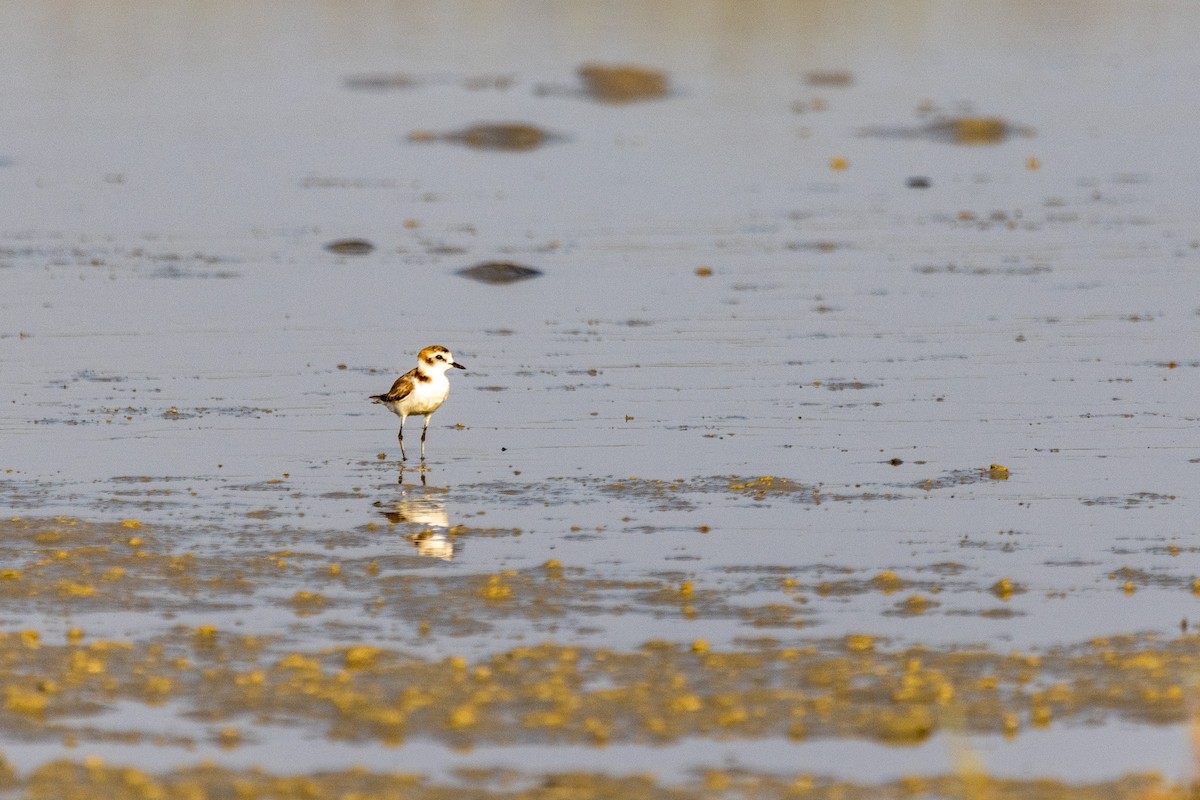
[67, 780]
